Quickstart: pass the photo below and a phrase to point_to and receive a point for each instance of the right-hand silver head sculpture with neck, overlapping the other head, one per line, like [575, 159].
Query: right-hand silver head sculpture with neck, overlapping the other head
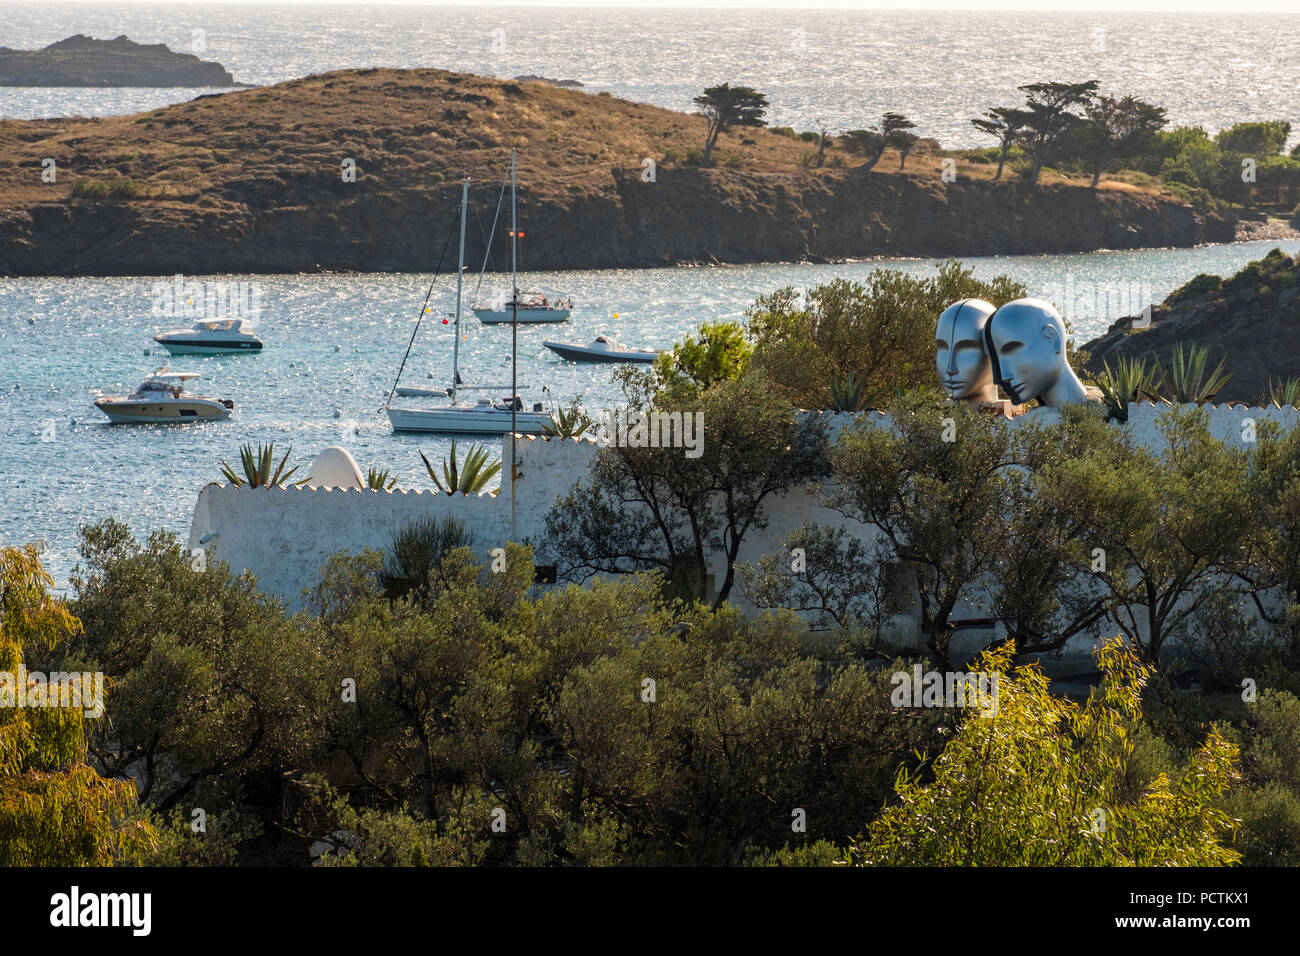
[1026, 345]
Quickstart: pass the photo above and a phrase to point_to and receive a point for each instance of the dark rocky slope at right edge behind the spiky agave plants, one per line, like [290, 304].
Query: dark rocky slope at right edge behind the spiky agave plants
[1251, 319]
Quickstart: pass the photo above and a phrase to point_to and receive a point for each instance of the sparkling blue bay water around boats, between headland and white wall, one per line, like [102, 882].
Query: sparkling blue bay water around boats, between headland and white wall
[335, 345]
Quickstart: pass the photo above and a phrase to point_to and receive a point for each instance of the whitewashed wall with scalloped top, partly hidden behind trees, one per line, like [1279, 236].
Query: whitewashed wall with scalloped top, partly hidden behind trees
[284, 537]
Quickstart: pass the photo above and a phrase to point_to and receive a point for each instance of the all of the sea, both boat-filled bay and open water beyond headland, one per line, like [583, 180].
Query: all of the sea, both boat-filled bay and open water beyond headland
[335, 343]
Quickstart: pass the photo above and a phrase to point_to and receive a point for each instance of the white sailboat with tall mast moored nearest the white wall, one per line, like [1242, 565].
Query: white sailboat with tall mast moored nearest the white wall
[486, 417]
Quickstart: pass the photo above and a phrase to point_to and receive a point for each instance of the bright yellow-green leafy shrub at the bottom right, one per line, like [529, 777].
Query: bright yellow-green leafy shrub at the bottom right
[1041, 785]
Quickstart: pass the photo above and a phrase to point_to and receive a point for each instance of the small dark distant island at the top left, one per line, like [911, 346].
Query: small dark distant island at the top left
[85, 62]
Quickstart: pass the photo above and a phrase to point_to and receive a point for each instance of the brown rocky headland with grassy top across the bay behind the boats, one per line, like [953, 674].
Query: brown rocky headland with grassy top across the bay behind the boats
[359, 171]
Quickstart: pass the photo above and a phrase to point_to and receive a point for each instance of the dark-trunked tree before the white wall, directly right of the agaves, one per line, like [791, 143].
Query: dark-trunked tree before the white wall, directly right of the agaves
[648, 508]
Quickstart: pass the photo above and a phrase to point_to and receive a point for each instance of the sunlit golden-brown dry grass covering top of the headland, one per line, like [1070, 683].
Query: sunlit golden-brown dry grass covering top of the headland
[409, 131]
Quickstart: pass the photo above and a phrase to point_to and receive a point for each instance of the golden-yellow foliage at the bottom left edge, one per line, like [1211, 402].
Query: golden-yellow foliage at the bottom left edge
[55, 810]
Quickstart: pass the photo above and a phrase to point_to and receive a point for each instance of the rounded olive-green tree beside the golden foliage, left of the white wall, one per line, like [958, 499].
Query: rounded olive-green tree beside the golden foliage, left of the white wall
[209, 676]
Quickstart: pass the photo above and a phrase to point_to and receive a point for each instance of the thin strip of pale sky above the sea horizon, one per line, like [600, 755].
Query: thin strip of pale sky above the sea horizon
[1112, 6]
